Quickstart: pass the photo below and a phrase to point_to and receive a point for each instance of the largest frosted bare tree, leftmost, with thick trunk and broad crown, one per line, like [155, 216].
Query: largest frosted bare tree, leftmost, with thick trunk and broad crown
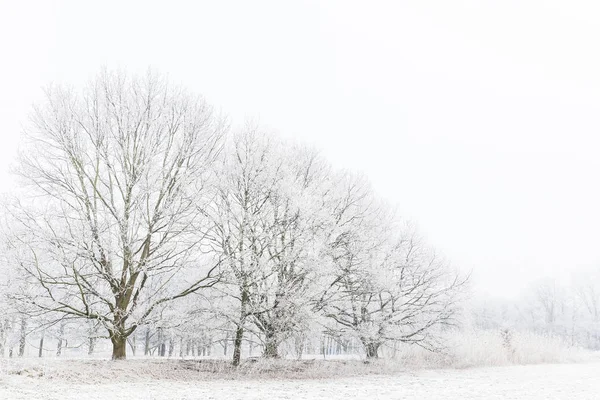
[113, 175]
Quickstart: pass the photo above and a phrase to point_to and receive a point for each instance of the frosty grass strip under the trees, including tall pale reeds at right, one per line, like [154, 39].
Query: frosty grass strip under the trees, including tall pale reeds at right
[469, 349]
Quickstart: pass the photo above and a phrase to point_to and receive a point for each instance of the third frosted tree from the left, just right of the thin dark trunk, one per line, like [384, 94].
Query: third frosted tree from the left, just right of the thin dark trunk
[287, 285]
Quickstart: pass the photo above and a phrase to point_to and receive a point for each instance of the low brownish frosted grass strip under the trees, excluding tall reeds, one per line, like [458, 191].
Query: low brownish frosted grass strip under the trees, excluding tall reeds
[97, 371]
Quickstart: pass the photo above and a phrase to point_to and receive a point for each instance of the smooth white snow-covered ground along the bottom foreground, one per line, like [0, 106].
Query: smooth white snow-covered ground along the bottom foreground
[553, 381]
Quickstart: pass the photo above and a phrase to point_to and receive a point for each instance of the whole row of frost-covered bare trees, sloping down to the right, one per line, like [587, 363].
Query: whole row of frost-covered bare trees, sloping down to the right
[139, 208]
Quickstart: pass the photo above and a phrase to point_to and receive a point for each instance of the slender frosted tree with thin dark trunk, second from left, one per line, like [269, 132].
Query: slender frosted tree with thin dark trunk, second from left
[247, 180]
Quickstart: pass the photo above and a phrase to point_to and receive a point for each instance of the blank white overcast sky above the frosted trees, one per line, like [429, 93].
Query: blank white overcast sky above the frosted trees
[479, 118]
